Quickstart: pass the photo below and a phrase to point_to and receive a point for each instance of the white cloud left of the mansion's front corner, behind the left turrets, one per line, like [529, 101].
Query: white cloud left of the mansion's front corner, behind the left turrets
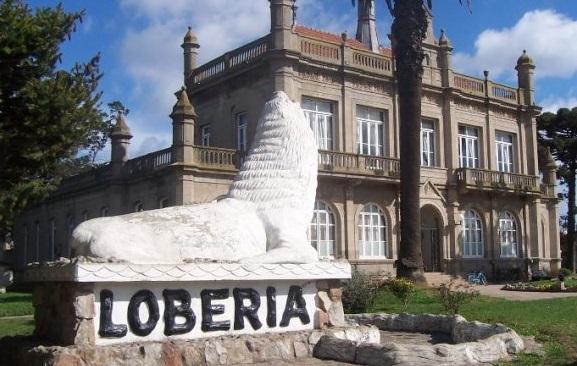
[152, 57]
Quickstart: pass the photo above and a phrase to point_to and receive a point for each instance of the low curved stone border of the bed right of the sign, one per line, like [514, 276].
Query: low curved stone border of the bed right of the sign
[473, 342]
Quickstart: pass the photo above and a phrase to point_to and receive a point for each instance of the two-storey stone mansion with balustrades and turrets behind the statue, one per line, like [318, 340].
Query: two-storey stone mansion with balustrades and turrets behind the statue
[487, 193]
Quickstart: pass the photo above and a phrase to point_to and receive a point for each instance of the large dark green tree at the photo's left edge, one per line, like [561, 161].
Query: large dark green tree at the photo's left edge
[47, 115]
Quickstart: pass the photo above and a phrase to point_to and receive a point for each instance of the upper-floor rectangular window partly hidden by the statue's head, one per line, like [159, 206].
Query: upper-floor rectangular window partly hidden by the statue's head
[320, 116]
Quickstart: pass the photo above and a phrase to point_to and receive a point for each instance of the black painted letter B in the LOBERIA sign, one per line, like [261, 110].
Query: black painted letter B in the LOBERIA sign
[171, 311]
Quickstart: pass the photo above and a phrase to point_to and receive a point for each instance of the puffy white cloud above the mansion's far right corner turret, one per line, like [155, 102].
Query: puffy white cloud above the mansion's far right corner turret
[548, 36]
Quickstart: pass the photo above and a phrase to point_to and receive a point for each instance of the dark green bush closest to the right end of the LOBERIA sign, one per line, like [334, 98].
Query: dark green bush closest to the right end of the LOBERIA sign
[359, 293]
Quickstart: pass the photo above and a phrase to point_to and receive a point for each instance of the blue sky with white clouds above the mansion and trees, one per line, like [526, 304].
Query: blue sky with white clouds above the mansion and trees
[141, 59]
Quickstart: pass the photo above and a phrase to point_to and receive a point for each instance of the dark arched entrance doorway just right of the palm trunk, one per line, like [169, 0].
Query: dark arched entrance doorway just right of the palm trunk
[431, 239]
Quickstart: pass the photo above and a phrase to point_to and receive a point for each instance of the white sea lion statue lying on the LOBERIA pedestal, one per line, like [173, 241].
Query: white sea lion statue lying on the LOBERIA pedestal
[263, 219]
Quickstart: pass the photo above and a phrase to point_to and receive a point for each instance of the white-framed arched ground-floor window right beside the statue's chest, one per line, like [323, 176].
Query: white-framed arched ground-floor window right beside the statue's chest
[322, 230]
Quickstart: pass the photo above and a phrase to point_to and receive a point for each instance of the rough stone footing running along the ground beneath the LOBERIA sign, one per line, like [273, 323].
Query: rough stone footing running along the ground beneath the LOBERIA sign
[229, 350]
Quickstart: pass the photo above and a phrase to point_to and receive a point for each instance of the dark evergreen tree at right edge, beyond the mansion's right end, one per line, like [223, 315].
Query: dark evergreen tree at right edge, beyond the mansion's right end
[558, 132]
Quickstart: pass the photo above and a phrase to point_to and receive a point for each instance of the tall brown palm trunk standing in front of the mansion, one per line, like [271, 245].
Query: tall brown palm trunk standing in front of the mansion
[408, 32]
